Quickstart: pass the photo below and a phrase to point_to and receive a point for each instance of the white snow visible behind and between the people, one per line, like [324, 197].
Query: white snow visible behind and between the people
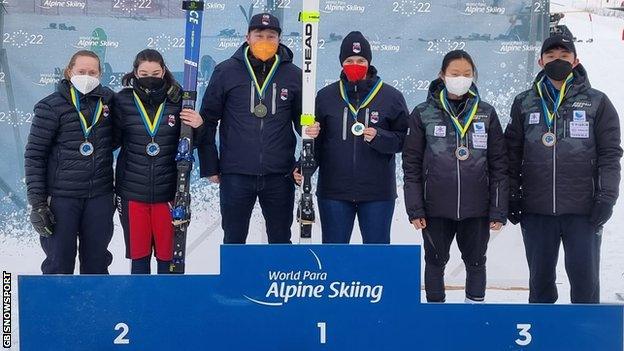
[507, 271]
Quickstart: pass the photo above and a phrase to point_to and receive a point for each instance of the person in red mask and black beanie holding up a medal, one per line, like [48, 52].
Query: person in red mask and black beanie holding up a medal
[363, 124]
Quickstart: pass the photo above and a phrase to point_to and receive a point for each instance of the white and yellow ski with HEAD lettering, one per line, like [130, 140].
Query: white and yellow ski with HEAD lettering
[310, 17]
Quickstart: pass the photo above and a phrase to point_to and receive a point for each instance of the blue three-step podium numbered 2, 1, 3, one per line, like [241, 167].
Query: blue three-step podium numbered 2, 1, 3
[295, 297]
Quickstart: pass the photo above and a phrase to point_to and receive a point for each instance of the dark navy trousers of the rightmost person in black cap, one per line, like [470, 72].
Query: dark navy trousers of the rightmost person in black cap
[543, 236]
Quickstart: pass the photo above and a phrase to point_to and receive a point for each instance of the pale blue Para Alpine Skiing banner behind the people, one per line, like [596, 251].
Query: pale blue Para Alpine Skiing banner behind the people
[408, 39]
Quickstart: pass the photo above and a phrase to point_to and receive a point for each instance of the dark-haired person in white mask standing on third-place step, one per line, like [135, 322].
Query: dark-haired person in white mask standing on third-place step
[455, 167]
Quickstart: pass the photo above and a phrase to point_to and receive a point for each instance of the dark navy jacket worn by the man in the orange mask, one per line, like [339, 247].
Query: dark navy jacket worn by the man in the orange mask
[248, 144]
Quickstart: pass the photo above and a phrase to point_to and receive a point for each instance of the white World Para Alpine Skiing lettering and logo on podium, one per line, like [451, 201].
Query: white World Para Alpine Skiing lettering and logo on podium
[285, 287]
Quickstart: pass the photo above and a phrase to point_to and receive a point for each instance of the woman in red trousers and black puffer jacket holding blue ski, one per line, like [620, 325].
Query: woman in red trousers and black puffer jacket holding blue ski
[147, 127]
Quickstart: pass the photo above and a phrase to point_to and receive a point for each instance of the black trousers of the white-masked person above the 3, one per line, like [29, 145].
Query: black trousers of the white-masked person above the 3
[473, 235]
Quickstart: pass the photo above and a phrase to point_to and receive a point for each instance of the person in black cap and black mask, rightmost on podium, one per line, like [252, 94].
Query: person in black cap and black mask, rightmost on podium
[564, 153]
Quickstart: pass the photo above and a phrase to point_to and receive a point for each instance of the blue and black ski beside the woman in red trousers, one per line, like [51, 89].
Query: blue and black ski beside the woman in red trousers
[181, 212]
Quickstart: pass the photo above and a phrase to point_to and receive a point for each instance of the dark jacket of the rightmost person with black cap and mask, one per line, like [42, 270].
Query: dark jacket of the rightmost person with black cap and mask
[582, 168]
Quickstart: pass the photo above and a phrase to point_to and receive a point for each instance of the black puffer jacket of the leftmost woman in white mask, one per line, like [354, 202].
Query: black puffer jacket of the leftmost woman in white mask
[53, 163]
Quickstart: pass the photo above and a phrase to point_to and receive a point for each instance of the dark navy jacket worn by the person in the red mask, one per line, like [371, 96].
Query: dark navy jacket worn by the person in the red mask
[350, 168]
